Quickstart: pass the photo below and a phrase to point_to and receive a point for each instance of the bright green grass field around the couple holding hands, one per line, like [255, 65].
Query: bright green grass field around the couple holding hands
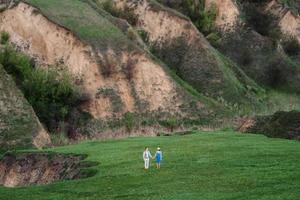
[220, 165]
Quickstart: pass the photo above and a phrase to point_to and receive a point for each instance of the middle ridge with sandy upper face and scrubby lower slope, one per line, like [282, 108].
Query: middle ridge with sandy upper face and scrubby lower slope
[174, 39]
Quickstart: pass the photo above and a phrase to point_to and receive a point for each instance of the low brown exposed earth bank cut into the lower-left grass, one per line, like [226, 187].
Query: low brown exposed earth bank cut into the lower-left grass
[41, 168]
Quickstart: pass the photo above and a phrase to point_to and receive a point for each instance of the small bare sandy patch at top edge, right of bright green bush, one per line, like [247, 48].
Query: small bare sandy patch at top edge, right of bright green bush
[227, 13]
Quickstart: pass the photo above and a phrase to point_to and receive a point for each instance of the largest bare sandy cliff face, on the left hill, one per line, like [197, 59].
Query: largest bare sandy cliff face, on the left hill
[53, 45]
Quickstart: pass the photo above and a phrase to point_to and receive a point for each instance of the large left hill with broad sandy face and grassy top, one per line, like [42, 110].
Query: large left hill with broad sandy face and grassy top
[119, 80]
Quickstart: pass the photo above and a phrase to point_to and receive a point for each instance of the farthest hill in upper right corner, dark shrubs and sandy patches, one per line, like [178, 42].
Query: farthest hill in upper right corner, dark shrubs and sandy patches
[249, 34]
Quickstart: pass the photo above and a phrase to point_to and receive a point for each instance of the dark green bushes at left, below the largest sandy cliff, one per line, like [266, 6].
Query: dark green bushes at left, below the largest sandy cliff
[52, 95]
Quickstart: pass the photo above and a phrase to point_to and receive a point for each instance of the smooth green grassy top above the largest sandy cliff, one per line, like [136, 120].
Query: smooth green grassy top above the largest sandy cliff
[83, 21]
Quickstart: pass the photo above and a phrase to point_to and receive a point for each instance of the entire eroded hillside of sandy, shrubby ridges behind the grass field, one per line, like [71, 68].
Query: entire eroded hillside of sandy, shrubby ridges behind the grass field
[141, 67]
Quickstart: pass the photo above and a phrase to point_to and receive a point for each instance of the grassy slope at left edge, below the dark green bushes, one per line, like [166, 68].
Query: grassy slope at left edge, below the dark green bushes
[18, 123]
